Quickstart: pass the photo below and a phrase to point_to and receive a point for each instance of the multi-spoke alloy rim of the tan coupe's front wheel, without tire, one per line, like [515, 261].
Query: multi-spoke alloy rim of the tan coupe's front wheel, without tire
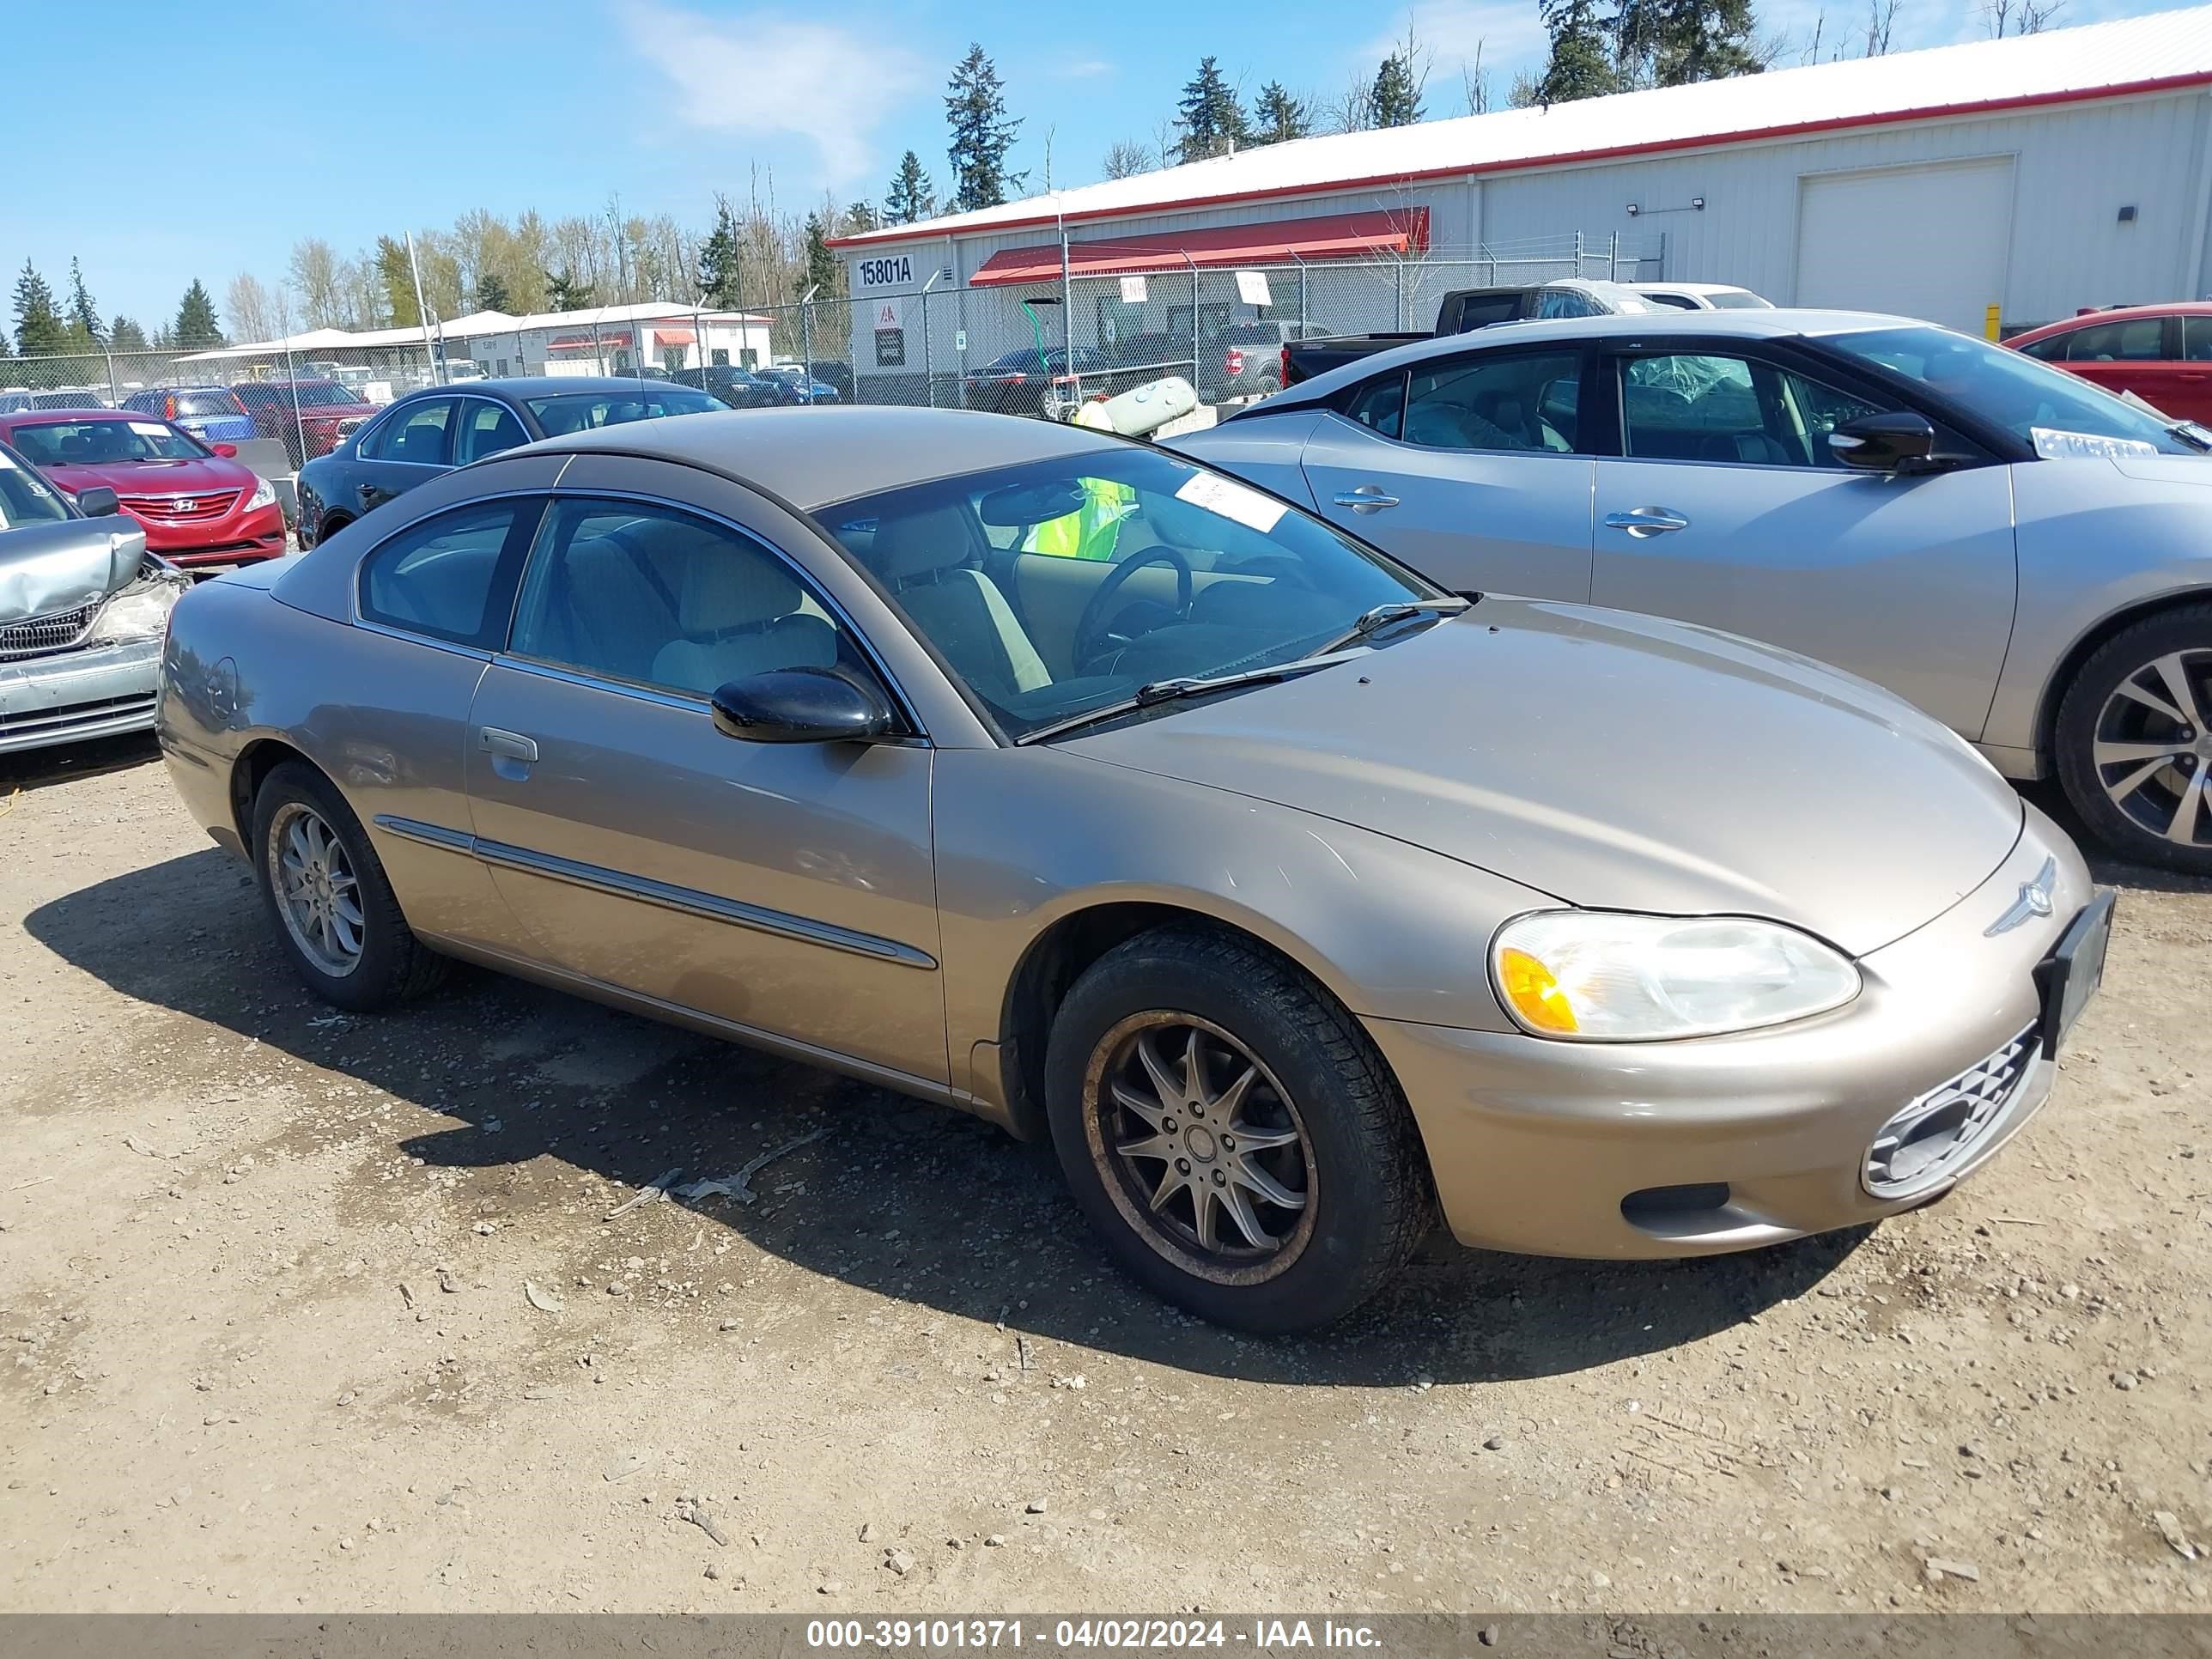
[1200, 1149]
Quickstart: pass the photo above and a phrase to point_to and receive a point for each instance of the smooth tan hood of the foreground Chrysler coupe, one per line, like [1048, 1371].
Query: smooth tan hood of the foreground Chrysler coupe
[1618, 762]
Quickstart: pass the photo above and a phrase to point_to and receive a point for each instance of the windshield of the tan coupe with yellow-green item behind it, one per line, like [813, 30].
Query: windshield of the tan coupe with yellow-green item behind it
[1061, 587]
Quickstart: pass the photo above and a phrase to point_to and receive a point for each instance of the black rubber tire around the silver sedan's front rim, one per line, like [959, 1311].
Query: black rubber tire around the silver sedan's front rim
[2133, 831]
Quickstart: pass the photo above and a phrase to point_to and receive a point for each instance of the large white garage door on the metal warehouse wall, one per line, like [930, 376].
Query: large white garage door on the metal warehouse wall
[1921, 242]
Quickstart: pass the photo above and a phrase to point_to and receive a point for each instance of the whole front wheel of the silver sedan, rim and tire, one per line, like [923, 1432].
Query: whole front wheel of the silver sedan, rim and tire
[2136, 749]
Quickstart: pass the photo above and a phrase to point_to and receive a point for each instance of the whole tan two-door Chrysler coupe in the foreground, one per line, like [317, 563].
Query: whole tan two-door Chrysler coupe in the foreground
[1092, 791]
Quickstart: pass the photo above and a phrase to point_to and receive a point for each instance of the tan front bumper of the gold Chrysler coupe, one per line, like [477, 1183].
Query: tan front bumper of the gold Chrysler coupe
[1687, 1149]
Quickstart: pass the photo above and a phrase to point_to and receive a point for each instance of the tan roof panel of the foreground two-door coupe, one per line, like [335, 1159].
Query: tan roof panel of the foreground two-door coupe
[820, 457]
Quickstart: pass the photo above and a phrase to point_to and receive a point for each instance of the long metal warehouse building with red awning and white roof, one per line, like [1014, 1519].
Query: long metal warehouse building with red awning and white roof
[2034, 176]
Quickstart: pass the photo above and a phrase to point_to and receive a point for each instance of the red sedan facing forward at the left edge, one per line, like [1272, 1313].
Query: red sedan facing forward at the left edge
[198, 505]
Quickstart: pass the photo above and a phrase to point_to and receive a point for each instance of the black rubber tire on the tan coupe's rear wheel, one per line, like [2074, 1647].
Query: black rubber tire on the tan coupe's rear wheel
[393, 963]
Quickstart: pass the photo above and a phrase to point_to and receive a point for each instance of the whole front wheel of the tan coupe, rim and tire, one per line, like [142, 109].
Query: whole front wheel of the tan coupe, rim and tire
[1233, 1134]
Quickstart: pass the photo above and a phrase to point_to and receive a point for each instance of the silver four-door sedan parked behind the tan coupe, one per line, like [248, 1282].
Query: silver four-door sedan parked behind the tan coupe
[2003, 545]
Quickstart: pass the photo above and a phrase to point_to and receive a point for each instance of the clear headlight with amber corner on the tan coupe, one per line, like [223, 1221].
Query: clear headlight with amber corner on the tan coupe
[1607, 977]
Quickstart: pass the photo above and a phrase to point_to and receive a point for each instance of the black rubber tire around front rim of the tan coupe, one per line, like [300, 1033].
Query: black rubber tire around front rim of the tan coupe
[1368, 1178]
